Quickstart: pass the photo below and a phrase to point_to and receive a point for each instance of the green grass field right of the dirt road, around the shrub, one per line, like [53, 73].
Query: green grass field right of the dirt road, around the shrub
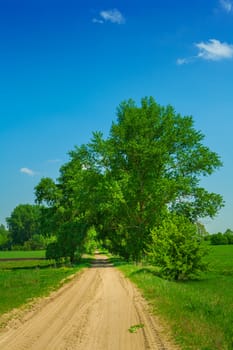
[200, 312]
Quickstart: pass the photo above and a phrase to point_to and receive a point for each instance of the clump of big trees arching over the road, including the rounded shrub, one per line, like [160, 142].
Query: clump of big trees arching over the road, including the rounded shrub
[139, 188]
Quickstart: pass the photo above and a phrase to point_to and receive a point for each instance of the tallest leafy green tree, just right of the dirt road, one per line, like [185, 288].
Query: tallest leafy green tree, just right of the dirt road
[152, 162]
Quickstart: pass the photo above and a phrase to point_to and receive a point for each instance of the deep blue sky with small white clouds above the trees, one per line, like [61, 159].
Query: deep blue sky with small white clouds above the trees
[65, 65]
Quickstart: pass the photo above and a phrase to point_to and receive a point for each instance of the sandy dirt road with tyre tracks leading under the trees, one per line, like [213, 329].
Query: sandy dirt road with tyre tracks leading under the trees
[92, 312]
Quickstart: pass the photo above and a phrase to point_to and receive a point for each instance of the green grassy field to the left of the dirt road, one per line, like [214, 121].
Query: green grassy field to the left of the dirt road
[21, 281]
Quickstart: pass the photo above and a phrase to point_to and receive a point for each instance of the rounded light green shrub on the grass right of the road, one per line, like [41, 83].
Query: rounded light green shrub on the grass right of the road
[177, 248]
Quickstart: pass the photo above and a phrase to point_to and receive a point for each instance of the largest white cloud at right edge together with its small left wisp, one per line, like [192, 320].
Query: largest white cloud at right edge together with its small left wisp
[212, 50]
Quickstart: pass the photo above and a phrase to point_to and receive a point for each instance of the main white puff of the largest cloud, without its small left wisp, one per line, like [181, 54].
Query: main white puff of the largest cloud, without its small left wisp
[214, 50]
